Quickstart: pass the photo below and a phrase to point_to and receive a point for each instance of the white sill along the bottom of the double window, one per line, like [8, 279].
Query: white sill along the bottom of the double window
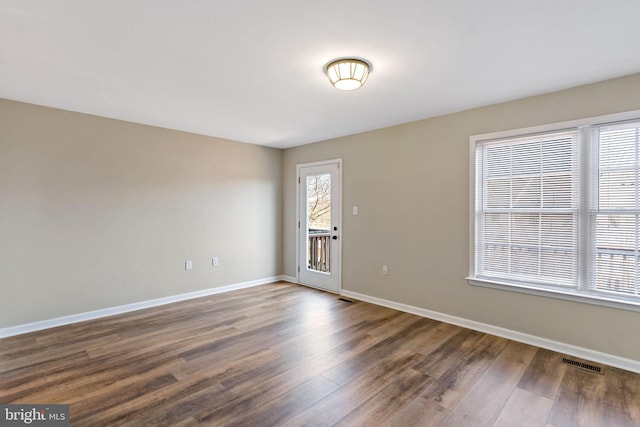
[601, 300]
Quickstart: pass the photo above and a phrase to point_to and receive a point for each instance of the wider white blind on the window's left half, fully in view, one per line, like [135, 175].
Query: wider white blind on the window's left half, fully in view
[527, 209]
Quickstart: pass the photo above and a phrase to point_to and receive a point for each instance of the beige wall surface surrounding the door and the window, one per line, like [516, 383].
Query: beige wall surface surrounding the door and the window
[411, 184]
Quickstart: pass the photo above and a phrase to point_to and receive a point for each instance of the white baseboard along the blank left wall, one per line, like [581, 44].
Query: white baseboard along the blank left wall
[111, 311]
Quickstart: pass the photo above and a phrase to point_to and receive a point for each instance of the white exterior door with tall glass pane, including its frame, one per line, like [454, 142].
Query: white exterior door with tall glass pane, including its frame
[319, 225]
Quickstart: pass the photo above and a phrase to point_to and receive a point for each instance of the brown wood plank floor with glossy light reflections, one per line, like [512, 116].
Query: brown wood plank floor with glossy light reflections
[284, 354]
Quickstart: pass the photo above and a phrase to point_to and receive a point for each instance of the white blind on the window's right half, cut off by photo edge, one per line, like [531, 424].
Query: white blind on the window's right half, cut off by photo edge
[615, 210]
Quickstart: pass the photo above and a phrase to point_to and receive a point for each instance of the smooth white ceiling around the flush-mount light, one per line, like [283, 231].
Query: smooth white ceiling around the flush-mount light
[251, 70]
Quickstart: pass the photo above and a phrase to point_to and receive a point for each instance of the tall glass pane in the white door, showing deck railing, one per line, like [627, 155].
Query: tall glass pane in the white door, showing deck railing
[319, 222]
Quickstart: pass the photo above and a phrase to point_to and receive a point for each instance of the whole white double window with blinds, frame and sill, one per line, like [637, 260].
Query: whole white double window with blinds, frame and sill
[556, 212]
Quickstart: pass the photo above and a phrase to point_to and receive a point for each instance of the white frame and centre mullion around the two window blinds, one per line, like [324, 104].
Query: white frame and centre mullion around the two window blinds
[582, 292]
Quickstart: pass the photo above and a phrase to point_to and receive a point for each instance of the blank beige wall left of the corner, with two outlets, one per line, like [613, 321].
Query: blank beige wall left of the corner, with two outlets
[96, 213]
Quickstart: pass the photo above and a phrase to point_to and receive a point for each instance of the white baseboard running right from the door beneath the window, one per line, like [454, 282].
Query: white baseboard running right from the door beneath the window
[568, 349]
